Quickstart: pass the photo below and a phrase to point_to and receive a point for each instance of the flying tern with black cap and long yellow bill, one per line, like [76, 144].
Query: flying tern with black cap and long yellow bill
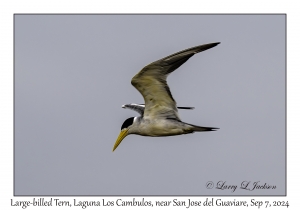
[159, 115]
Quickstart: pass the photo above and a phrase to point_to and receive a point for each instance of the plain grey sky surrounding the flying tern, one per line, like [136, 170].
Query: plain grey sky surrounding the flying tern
[72, 75]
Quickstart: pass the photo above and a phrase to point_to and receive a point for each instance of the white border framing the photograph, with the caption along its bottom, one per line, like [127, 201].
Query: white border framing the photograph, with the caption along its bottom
[8, 8]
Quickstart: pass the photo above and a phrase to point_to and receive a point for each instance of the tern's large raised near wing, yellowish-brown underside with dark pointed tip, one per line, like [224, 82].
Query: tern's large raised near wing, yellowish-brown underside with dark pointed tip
[151, 82]
